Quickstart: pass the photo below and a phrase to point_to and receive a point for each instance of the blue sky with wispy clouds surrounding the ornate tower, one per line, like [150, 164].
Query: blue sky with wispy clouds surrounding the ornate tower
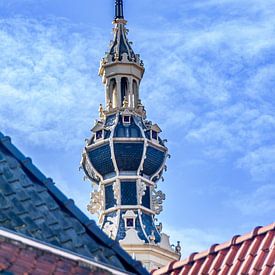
[209, 84]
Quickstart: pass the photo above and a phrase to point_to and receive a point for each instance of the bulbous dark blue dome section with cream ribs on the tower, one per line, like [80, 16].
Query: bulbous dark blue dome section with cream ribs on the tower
[124, 144]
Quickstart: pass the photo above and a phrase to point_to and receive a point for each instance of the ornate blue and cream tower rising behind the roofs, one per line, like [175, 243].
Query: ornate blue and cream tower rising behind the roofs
[125, 157]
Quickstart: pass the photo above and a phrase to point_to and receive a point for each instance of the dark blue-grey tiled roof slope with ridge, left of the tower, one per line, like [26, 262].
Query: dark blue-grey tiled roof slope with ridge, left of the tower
[31, 204]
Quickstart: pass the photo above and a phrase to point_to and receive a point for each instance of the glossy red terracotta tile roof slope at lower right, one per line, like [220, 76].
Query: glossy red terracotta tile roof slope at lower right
[252, 253]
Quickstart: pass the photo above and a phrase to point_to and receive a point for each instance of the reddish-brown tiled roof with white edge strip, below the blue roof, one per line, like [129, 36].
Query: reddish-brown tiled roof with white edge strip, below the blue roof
[18, 255]
